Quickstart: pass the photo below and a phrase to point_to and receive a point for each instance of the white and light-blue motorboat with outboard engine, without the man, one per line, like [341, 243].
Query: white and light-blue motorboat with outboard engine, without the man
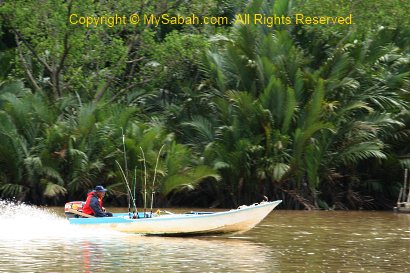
[237, 220]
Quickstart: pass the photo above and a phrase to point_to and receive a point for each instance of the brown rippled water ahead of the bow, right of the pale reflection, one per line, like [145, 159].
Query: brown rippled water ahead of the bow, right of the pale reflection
[325, 241]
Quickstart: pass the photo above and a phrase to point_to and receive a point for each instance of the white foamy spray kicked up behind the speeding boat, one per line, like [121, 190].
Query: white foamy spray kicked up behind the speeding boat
[21, 222]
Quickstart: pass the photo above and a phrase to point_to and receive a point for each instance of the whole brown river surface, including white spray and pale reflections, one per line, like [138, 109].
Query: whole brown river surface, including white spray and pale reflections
[41, 240]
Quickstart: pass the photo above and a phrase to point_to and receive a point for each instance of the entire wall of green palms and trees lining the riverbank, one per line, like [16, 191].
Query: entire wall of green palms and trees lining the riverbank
[316, 115]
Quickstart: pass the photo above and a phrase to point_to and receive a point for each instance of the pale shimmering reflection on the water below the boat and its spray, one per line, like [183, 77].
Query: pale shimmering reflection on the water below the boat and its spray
[136, 254]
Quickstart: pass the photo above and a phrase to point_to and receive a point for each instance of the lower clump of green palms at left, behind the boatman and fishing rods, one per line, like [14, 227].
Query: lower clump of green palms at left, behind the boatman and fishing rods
[45, 155]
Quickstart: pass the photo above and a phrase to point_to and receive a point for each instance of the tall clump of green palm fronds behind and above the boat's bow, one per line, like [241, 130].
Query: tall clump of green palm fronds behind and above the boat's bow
[306, 116]
